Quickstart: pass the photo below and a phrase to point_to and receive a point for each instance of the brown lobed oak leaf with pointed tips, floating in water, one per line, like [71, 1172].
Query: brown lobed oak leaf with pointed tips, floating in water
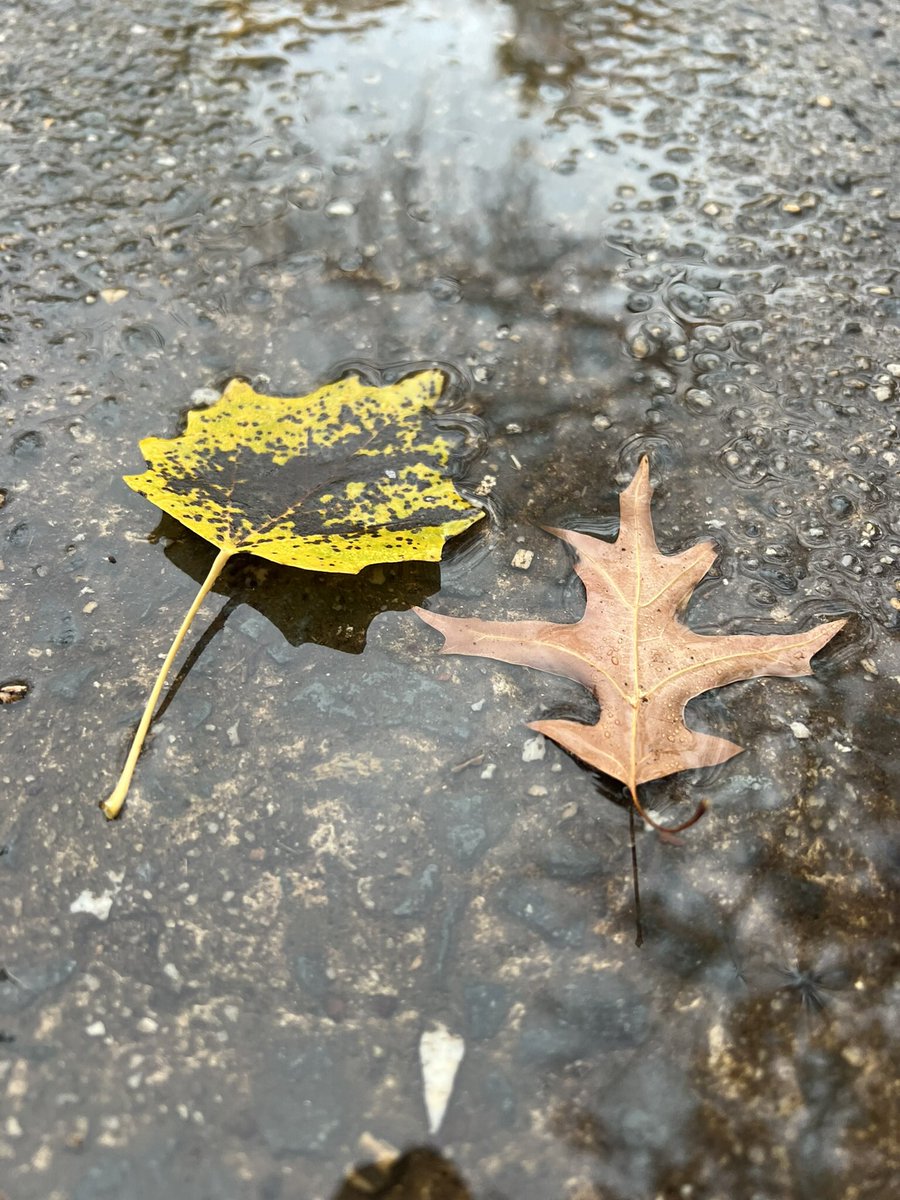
[634, 653]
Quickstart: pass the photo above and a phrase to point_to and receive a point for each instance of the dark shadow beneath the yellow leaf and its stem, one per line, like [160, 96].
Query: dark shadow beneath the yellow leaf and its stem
[326, 608]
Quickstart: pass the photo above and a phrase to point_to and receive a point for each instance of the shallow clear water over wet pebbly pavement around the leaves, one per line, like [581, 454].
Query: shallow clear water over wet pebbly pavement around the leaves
[622, 230]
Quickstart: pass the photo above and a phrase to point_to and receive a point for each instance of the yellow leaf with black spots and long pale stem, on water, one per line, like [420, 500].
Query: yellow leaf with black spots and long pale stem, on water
[350, 476]
